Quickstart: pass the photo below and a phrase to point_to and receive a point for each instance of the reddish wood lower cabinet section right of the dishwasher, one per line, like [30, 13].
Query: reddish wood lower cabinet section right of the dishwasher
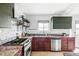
[67, 43]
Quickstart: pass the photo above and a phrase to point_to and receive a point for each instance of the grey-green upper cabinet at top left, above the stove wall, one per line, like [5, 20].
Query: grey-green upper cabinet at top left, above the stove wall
[5, 15]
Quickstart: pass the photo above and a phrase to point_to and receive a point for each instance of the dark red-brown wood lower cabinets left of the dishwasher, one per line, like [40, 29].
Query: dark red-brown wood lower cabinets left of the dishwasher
[41, 44]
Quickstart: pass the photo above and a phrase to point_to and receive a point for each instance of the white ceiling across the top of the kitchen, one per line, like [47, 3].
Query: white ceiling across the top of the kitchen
[46, 8]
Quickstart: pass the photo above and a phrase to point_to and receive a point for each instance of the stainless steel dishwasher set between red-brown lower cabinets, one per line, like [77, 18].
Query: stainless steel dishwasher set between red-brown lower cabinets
[56, 44]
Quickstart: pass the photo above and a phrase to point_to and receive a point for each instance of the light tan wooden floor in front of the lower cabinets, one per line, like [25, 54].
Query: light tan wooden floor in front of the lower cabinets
[47, 53]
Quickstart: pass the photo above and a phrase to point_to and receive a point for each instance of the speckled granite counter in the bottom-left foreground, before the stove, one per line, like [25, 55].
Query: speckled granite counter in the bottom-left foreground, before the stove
[10, 50]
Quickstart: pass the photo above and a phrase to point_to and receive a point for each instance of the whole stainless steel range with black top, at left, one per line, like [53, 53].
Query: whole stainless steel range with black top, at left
[26, 43]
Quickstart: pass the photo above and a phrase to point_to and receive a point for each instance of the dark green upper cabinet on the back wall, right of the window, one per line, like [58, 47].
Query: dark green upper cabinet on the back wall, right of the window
[62, 22]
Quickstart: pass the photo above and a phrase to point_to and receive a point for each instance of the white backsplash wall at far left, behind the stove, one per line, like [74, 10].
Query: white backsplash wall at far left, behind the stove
[7, 34]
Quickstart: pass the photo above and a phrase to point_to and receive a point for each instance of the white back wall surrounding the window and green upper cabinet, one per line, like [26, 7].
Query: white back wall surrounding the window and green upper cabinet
[34, 20]
